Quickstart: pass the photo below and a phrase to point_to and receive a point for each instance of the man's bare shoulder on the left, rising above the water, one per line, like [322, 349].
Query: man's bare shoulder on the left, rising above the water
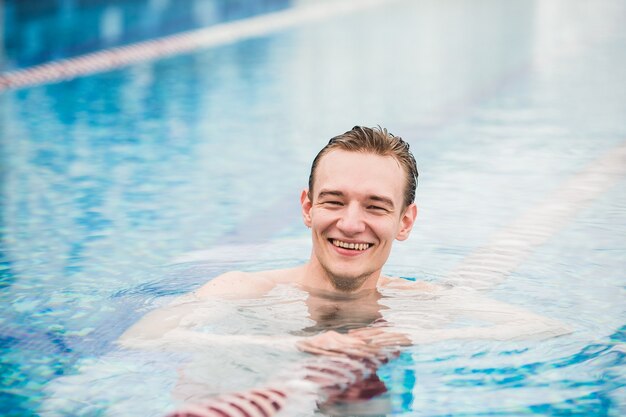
[239, 285]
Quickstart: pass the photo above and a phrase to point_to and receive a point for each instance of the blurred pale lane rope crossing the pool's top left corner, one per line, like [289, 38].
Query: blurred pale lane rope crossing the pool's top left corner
[220, 34]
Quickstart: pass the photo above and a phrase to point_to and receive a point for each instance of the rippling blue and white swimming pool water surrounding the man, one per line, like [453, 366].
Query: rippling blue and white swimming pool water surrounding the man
[123, 189]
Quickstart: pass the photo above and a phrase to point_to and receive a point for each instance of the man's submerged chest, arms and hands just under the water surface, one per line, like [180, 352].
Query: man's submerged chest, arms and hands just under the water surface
[407, 312]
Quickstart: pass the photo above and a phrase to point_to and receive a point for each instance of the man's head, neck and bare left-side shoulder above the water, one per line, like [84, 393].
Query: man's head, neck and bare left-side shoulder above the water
[360, 199]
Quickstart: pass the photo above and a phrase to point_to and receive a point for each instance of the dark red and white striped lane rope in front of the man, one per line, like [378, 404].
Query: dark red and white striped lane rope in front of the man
[325, 378]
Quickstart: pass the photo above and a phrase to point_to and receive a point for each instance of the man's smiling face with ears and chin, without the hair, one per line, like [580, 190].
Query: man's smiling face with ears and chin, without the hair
[355, 212]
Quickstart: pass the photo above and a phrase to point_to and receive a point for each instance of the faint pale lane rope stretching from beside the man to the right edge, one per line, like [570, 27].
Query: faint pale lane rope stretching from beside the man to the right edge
[507, 249]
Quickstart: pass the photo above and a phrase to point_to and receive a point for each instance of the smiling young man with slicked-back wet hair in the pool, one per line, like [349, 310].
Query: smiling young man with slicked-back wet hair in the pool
[359, 200]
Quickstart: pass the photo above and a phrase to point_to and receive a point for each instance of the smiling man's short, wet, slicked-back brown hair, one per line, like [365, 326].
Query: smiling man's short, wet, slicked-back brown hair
[379, 142]
